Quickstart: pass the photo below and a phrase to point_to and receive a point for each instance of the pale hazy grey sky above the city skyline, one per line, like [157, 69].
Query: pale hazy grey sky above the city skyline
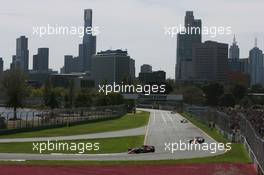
[135, 25]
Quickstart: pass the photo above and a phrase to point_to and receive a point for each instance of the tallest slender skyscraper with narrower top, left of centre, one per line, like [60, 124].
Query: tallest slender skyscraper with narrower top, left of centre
[88, 47]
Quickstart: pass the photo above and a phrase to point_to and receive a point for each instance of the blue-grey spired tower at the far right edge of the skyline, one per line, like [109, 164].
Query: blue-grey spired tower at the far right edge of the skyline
[256, 66]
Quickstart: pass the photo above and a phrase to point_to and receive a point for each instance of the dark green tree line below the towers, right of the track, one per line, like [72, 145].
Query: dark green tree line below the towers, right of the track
[216, 94]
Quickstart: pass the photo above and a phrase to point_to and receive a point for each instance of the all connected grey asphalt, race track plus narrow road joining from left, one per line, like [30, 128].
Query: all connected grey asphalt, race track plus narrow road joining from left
[163, 130]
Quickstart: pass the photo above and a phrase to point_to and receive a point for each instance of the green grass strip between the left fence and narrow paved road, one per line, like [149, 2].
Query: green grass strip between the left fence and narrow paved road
[126, 122]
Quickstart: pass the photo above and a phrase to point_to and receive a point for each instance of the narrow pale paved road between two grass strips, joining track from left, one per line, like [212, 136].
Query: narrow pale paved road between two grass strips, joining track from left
[121, 133]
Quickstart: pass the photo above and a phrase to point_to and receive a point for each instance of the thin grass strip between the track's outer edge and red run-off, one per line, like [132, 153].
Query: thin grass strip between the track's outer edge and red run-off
[236, 155]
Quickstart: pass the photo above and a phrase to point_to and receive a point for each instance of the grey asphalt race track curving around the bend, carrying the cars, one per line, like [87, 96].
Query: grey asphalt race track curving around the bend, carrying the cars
[163, 127]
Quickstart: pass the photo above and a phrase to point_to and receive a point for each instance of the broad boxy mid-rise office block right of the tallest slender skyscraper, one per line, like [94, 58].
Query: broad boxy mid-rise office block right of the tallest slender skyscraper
[112, 66]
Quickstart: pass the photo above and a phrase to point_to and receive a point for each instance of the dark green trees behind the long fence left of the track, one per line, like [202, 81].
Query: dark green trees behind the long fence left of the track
[14, 88]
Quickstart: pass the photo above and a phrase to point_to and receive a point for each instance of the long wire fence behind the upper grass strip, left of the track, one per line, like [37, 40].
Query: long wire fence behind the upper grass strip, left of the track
[27, 118]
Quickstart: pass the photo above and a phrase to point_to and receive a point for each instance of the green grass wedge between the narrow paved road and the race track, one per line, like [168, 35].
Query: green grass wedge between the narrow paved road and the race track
[106, 145]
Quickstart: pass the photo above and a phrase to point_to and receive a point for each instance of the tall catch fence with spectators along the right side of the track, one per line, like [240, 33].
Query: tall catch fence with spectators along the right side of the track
[236, 128]
